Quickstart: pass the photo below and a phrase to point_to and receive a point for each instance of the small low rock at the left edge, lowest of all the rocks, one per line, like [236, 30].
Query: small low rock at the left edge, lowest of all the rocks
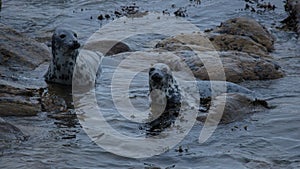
[9, 132]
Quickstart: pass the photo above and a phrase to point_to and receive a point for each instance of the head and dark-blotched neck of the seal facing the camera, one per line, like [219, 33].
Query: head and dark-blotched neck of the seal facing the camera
[165, 97]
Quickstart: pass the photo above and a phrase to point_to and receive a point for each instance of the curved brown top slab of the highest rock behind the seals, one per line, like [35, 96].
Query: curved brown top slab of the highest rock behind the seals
[247, 27]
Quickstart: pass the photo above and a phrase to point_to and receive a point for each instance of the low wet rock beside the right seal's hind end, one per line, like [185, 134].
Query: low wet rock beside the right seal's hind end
[231, 107]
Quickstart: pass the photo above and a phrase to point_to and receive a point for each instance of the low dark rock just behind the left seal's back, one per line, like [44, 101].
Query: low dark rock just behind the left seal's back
[108, 47]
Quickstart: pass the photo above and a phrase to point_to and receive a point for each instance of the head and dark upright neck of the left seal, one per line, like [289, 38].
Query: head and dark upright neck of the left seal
[64, 54]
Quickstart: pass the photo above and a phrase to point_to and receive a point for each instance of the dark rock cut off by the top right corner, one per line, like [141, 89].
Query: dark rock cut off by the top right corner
[293, 20]
